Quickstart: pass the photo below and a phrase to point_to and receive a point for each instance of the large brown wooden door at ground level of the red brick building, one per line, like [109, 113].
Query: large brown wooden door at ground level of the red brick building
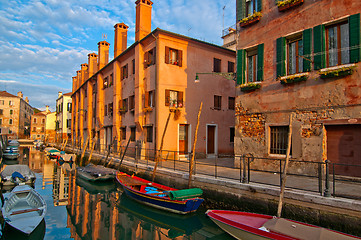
[344, 149]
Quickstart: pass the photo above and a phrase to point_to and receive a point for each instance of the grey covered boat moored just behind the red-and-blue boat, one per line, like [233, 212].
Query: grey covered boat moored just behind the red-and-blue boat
[93, 172]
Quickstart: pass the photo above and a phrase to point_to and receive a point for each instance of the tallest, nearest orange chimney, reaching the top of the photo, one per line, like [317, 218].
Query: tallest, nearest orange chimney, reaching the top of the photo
[143, 25]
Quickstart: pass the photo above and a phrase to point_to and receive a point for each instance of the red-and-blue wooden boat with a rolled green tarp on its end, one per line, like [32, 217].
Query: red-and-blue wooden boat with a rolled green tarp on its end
[160, 196]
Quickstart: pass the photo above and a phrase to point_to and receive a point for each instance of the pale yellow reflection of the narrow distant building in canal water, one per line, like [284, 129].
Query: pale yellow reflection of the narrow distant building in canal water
[60, 186]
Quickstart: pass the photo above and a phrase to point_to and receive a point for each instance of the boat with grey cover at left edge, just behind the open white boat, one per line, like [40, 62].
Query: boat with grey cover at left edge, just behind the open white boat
[17, 174]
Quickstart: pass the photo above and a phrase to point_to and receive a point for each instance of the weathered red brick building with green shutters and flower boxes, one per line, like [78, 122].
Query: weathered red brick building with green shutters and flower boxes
[300, 57]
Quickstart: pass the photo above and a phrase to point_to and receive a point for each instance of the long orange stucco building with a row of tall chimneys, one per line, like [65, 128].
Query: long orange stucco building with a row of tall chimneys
[132, 96]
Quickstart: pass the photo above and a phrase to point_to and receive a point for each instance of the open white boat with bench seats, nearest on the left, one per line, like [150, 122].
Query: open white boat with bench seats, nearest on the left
[24, 209]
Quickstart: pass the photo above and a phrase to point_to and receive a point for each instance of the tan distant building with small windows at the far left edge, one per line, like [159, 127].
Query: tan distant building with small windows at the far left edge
[15, 115]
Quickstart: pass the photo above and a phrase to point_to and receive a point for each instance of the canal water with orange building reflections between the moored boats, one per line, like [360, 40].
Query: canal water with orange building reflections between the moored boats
[77, 209]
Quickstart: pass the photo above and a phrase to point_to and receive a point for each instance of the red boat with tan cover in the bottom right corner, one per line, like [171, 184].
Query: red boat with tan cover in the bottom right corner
[244, 225]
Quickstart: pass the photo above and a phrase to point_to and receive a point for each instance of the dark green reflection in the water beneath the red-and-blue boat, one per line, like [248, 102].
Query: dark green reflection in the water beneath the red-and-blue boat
[177, 224]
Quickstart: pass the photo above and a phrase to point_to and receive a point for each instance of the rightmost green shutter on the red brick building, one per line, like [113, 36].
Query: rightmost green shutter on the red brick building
[354, 25]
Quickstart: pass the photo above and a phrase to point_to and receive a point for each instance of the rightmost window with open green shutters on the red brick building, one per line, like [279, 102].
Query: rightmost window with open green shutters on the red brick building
[338, 43]
